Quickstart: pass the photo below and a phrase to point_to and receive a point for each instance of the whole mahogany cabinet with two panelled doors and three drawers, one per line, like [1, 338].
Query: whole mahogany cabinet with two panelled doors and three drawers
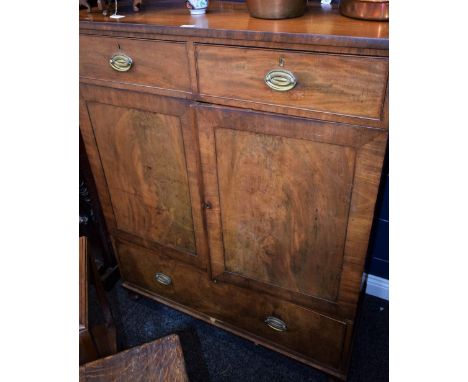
[237, 163]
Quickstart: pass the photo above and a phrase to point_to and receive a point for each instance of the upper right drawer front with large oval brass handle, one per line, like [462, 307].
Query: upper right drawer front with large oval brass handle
[346, 85]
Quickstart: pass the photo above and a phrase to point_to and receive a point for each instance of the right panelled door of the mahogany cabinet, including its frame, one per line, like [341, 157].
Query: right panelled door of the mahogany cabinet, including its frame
[289, 203]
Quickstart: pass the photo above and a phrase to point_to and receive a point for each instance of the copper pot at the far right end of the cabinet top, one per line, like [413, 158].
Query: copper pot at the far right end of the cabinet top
[365, 9]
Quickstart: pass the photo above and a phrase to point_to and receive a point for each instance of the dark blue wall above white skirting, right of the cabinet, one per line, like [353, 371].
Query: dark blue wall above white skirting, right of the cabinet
[378, 247]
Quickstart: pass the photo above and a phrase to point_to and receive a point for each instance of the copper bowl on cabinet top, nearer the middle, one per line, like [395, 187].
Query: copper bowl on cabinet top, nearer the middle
[276, 9]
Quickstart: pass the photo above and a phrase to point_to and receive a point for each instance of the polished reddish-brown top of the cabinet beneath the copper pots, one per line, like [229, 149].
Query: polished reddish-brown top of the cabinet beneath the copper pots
[227, 19]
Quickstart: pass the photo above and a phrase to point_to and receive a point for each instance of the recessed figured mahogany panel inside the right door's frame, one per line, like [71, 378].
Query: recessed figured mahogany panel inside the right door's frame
[284, 209]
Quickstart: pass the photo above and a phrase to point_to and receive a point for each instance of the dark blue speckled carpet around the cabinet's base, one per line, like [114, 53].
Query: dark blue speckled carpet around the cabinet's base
[214, 355]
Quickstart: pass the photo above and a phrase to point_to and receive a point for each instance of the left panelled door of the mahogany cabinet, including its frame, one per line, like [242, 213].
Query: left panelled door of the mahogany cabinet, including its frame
[146, 163]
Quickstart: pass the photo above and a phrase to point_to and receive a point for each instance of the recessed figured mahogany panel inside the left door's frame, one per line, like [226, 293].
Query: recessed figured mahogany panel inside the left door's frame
[143, 158]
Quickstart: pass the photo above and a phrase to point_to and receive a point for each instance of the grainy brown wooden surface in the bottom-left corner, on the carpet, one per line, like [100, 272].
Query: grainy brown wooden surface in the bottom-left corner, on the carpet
[158, 361]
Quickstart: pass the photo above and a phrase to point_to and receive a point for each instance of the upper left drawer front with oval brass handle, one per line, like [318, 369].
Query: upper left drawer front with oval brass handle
[154, 63]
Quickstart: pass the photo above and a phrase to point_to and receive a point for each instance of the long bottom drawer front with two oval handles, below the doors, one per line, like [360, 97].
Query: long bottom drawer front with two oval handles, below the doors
[307, 333]
